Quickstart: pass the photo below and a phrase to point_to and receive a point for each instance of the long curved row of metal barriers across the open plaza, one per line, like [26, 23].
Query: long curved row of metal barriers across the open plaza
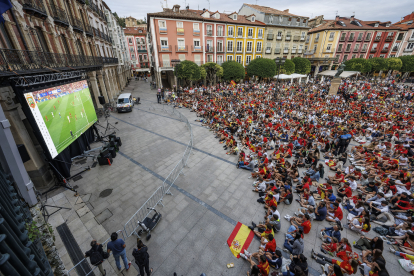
[156, 198]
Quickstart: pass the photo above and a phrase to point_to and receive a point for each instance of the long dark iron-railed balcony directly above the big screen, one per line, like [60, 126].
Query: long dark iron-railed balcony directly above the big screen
[20, 62]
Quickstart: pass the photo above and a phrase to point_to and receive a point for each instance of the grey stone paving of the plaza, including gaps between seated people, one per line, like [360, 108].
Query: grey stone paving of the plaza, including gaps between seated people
[208, 199]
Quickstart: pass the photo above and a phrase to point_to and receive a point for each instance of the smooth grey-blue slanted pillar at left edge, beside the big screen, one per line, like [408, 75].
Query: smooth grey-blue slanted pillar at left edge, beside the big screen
[13, 164]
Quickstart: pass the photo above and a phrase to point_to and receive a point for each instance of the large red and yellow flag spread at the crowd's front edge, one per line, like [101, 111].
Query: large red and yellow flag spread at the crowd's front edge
[240, 239]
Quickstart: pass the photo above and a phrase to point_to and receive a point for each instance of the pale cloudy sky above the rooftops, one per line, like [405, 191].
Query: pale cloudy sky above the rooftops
[367, 10]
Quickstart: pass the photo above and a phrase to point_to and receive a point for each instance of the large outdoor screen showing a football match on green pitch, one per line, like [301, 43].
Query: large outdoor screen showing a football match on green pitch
[62, 113]
